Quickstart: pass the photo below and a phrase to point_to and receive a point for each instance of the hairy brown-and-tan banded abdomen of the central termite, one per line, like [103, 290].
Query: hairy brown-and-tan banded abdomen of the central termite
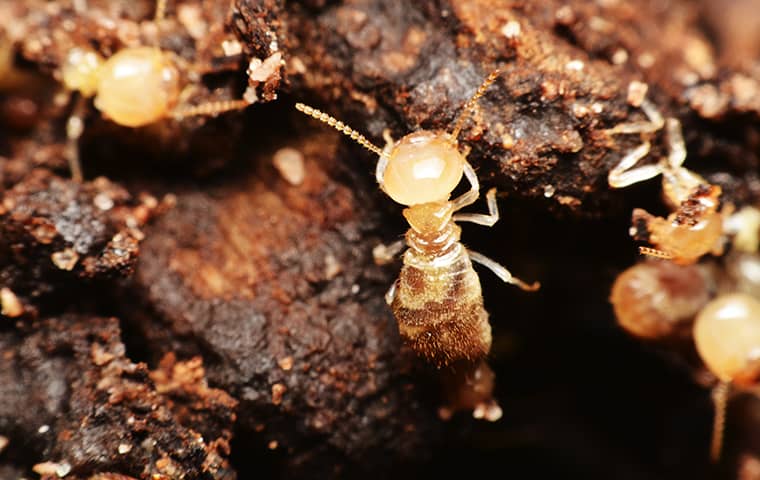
[438, 305]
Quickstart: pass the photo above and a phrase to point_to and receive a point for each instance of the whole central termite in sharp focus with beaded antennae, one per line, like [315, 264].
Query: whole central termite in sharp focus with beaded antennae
[437, 299]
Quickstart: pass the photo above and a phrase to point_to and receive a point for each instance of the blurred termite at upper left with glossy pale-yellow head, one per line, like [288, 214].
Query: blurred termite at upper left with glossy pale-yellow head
[135, 87]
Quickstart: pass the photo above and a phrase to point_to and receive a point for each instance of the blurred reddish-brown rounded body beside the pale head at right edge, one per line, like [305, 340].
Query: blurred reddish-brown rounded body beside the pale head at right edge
[655, 300]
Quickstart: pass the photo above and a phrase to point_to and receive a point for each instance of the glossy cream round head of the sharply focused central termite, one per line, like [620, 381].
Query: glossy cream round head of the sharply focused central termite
[423, 167]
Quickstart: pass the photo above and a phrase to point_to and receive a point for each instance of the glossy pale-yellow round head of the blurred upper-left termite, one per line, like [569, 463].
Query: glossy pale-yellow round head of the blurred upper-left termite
[137, 86]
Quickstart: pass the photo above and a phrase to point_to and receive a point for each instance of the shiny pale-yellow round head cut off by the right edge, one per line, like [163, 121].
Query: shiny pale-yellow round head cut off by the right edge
[727, 336]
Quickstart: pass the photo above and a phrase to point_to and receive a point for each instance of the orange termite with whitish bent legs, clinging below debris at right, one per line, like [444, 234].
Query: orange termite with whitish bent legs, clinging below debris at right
[695, 226]
